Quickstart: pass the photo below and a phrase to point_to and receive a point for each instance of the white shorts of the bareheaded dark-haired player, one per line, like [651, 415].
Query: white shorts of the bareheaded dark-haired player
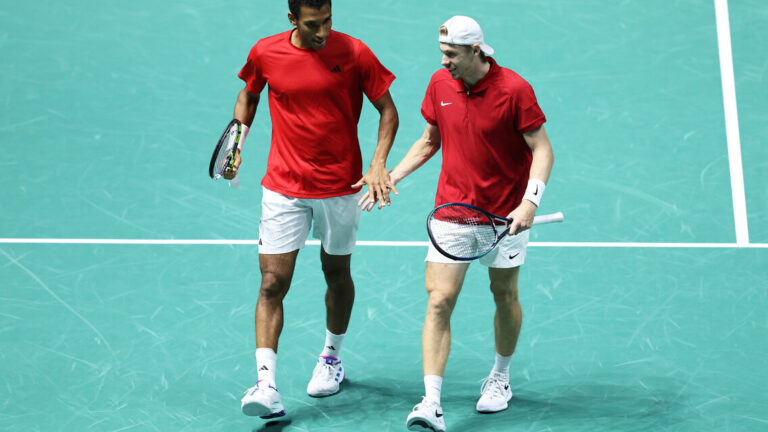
[285, 222]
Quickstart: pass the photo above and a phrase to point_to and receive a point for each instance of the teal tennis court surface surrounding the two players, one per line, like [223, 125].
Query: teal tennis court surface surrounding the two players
[128, 278]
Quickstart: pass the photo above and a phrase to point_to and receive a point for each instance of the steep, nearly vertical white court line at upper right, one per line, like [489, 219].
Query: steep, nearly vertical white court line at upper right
[731, 122]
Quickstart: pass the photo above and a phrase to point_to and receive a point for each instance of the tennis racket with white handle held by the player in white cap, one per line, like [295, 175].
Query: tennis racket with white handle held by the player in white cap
[464, 232]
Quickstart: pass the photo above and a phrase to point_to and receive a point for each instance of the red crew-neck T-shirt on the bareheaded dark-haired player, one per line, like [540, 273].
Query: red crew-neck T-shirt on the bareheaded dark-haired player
[315, 98]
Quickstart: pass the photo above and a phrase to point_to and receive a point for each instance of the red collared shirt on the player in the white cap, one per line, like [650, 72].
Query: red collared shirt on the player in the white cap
[486, 161]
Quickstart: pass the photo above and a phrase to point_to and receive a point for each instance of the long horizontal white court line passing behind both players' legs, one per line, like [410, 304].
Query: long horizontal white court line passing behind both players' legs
[200, 242]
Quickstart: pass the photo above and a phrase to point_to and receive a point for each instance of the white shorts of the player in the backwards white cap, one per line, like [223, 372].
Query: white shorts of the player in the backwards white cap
[510, 252]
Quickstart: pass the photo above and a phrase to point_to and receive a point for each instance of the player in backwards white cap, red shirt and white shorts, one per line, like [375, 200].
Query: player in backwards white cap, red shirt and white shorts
[496, 155]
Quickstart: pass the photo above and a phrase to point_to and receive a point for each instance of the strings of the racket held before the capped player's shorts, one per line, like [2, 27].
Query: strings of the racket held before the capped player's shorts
[463, 232]
